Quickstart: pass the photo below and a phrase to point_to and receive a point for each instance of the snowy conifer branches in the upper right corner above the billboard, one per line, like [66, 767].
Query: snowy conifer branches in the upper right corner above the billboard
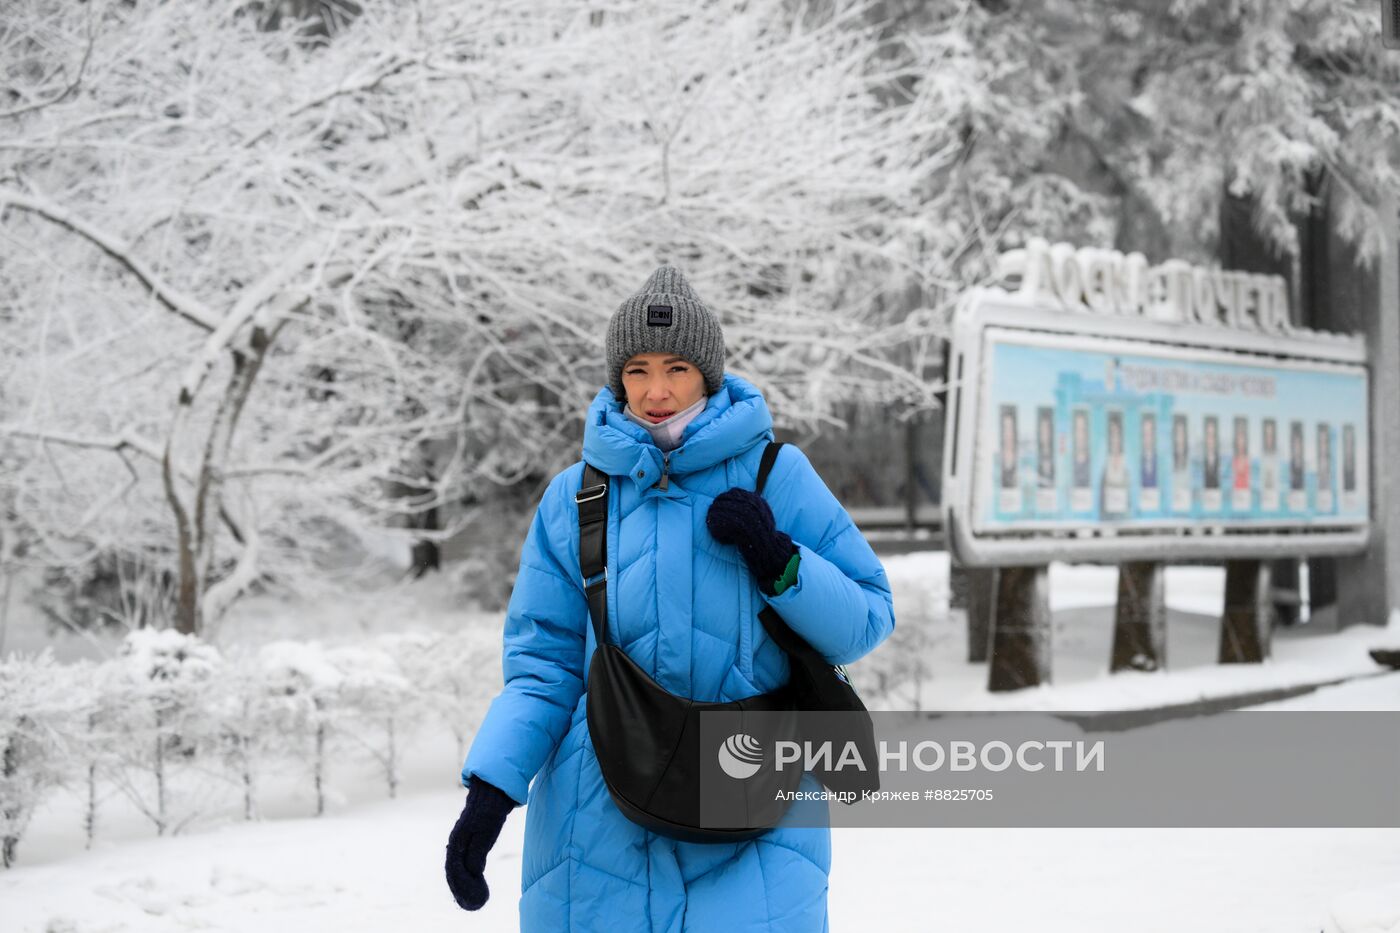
[1174, 104]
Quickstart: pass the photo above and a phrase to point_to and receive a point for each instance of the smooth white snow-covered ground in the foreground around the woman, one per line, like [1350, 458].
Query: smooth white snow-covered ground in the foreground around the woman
[377, 866]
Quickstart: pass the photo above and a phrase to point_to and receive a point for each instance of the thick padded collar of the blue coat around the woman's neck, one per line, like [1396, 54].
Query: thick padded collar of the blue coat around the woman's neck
[734, 421]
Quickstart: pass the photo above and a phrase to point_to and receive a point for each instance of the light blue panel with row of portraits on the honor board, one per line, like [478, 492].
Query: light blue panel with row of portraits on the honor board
[1081, 432]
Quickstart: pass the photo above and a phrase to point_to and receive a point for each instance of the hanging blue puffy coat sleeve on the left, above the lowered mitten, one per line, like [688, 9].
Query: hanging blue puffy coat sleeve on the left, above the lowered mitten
[542, 659]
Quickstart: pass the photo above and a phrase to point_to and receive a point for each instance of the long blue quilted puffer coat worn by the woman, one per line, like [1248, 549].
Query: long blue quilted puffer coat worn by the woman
[685, 609]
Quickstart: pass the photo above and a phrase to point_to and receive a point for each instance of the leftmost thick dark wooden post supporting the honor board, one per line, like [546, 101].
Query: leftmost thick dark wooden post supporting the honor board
[1021, 630]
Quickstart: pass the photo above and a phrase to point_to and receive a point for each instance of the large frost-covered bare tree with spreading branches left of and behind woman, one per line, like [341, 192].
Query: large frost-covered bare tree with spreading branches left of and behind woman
[251, 313]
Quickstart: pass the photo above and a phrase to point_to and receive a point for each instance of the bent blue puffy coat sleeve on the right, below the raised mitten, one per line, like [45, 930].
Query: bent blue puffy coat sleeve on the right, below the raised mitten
[841, 602]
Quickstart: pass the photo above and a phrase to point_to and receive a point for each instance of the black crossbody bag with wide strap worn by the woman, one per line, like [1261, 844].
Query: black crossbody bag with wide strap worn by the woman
[647, 740]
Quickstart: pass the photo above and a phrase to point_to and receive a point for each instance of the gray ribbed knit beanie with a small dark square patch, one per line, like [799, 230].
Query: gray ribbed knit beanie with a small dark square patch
[666, 317]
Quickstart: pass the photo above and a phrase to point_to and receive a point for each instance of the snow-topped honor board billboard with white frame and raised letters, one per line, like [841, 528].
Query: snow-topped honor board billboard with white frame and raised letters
[1149, 427]
